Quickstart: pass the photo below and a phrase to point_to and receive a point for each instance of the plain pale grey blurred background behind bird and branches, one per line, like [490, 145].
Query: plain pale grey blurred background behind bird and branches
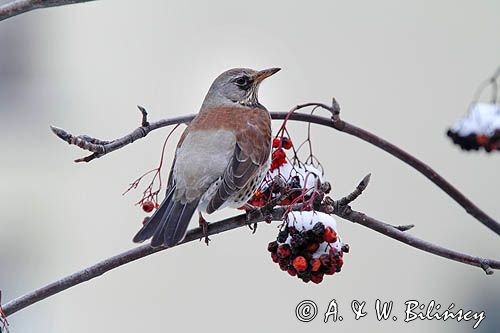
[404, 70]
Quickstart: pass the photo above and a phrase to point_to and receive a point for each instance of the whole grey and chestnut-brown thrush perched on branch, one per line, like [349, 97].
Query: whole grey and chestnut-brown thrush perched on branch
[221, 158]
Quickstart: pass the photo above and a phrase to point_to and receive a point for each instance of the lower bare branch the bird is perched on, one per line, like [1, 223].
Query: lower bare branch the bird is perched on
[339, 207]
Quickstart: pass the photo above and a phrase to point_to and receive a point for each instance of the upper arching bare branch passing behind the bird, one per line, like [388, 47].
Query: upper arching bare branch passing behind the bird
[100, 148]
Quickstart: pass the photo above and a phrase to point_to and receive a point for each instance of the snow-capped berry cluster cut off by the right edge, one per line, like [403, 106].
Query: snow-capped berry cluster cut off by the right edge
[479, 129]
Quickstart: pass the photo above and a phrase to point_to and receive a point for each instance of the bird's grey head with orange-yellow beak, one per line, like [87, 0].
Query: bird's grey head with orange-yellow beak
[237, 86]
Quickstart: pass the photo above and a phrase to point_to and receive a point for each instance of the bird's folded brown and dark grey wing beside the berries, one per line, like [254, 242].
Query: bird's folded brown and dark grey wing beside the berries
[251, 153]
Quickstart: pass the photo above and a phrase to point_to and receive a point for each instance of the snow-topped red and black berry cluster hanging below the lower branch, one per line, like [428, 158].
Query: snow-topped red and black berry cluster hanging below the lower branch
[309, 246]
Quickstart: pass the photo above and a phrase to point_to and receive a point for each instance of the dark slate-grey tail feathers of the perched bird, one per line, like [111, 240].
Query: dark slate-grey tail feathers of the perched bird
[169, 223]
